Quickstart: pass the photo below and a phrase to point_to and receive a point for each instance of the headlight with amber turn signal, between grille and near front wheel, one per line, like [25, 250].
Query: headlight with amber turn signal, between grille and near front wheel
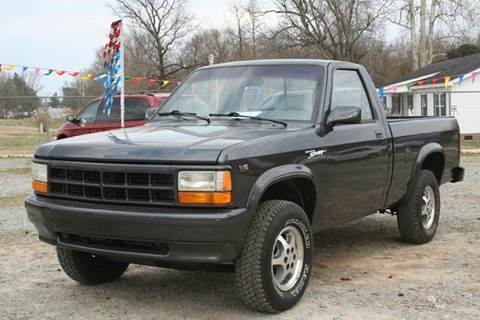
[205, 187]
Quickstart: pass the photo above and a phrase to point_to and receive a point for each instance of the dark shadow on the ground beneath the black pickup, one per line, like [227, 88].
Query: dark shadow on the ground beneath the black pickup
[148, 287]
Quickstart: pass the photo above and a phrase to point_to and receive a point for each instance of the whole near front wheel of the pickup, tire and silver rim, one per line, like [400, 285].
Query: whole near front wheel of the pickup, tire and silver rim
[275, 264]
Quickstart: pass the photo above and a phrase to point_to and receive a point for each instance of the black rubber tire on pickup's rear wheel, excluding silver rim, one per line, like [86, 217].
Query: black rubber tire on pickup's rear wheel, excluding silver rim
[409, 218]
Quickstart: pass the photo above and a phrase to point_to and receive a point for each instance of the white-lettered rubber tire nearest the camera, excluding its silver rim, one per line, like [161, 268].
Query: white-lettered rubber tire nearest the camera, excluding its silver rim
[253, 268]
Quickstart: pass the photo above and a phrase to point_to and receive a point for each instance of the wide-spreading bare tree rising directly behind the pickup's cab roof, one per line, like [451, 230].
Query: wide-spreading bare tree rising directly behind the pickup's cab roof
[335, 28]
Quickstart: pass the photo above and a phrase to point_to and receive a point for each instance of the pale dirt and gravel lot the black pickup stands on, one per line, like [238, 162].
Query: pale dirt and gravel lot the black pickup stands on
[361, 271]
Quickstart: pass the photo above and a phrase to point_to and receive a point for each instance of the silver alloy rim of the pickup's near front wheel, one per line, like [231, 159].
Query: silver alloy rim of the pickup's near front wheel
[287, 258]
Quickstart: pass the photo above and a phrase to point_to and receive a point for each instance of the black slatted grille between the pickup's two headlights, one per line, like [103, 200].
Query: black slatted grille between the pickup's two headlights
[113, 185]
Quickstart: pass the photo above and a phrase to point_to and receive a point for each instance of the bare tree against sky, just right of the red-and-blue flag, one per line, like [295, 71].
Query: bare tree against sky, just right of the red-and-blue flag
[165, 23]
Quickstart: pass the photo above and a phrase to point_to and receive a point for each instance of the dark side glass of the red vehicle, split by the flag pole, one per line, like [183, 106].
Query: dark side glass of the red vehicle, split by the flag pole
[134, 110]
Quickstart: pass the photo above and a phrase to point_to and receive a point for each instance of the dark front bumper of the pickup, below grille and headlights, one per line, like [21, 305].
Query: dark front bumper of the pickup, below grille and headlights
[144, 235]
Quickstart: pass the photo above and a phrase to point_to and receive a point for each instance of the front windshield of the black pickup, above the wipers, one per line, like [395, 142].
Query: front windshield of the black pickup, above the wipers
[275, 92]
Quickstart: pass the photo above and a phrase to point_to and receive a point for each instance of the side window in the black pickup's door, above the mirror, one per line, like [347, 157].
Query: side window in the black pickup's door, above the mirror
[348, 91]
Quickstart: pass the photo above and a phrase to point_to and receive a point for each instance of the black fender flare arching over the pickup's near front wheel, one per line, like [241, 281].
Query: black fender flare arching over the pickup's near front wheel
[272, 176]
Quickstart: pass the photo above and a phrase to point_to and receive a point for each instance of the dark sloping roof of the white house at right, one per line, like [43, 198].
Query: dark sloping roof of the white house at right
[448, 68]
